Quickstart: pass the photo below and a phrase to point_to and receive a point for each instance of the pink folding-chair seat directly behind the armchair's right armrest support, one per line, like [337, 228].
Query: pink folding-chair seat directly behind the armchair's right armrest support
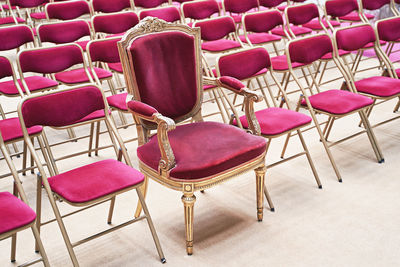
[275, 121]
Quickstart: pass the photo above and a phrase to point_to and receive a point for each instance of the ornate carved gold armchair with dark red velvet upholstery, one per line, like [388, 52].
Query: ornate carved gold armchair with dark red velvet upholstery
[163, 72]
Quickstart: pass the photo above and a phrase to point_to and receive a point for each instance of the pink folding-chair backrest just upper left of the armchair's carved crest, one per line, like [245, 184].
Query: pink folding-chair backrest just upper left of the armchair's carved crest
[115, 23]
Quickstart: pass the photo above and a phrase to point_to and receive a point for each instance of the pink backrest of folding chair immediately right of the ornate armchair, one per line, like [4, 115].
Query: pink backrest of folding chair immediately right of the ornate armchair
[244, 64]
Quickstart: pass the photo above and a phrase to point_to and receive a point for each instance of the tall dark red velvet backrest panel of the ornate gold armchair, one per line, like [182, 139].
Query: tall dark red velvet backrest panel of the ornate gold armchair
[172, 91]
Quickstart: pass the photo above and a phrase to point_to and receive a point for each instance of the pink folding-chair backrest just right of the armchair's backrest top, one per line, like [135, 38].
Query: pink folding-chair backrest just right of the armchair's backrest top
[216, 28]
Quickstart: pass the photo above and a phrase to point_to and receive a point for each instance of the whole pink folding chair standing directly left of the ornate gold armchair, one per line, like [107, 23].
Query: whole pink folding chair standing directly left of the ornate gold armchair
[88, 185]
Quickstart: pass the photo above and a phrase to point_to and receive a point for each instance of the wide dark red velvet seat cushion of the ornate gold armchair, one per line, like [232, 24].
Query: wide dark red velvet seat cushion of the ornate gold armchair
[201, 152]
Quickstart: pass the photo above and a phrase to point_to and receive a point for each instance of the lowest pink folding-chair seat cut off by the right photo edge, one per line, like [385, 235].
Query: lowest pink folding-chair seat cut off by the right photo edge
[379, 86]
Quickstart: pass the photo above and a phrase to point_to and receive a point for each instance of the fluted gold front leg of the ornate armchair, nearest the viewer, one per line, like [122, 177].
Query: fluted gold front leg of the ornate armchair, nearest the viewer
[188, 200]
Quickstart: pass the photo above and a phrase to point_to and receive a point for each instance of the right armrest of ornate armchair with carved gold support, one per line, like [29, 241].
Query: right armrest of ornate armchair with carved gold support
[250, 97]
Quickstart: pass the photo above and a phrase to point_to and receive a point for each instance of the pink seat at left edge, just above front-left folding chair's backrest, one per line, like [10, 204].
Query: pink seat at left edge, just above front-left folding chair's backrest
[34, 83]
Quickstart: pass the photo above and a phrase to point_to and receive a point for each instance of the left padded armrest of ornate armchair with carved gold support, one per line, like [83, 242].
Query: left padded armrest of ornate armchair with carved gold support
[164, 124]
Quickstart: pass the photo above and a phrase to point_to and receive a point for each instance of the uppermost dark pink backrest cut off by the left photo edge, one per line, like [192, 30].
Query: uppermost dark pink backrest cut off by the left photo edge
[15, 36]
